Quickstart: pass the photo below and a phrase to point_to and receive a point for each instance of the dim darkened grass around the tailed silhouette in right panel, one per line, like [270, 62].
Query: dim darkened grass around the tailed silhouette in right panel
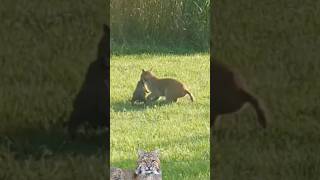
[274, 45]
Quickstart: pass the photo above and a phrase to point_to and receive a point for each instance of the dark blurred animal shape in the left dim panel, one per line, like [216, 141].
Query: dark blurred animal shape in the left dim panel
[92, 101]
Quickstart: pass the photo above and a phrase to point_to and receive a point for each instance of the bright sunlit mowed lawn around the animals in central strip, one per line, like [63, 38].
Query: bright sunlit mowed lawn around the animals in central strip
[180, 131]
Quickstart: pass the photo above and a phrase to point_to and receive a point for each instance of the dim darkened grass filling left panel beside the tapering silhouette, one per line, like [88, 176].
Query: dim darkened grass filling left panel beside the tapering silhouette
[46, 48]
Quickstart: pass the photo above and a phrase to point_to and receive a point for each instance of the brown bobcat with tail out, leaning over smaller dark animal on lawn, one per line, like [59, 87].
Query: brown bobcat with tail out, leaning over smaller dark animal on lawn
[170, 88]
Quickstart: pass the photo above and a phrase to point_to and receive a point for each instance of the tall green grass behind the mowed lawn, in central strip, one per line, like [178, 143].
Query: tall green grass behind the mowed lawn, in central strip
[170, 23]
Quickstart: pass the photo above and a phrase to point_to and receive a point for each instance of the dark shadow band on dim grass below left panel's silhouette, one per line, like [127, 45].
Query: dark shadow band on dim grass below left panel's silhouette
[40, 143]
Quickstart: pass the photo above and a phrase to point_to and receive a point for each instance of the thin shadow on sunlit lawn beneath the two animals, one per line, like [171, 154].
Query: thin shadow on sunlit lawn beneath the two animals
[126, 106]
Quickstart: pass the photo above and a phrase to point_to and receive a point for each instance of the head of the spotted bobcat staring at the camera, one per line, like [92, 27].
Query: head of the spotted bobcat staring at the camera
[148, 163]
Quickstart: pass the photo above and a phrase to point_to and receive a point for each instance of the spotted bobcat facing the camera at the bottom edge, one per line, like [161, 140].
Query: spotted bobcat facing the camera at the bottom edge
[148, 168]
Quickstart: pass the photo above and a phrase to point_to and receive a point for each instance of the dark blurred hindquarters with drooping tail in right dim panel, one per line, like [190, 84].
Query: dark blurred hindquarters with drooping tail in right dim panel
[230, 93]
